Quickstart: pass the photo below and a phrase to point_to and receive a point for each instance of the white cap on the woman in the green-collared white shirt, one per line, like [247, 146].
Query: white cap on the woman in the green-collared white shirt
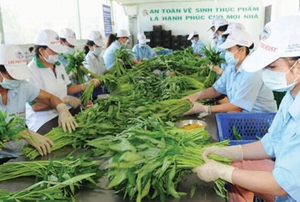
[50, 38]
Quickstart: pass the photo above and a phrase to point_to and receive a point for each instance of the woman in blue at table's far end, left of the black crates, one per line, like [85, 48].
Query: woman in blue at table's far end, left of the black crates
[142, 51]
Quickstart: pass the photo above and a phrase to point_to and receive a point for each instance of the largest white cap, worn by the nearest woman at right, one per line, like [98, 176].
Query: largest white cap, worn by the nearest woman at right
[280, 38]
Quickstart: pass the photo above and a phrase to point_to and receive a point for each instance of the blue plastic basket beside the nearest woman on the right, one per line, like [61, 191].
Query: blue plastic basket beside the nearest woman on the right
[251, 126]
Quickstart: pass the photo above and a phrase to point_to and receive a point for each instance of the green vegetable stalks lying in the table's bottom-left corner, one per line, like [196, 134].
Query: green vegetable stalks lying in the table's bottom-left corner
[55, 180]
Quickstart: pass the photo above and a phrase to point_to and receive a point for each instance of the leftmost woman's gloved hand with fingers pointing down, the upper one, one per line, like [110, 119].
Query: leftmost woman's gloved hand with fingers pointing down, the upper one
[65, 119]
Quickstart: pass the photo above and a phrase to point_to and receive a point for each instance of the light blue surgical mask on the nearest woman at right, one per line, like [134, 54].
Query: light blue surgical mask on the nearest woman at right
[276, 81]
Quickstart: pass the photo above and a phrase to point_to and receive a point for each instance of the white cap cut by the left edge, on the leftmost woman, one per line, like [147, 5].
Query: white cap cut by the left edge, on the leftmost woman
[14, 61]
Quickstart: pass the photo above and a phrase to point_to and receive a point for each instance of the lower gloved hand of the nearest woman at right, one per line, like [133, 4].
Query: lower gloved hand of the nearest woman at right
[213, 170]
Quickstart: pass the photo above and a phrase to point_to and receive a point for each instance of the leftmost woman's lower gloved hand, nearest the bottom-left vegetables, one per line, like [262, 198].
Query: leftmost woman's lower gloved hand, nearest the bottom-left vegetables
[41, 143]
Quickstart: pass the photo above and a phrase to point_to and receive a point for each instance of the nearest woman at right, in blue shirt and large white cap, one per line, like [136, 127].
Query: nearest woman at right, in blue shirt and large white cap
[278, 55]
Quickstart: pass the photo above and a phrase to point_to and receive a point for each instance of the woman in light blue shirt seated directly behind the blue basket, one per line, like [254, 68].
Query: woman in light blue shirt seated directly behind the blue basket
[245, 91]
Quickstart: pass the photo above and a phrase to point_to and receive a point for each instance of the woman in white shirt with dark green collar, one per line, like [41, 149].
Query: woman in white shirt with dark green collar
[50, 75]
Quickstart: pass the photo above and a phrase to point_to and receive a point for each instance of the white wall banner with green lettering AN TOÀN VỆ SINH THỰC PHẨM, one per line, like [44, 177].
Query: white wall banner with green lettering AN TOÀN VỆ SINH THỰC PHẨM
[182, 18]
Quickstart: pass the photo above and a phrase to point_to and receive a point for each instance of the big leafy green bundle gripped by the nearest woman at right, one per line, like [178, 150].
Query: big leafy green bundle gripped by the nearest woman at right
[149, 159]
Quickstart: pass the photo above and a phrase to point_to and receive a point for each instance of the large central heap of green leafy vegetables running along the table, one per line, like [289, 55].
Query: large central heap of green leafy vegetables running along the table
[135, 129]
